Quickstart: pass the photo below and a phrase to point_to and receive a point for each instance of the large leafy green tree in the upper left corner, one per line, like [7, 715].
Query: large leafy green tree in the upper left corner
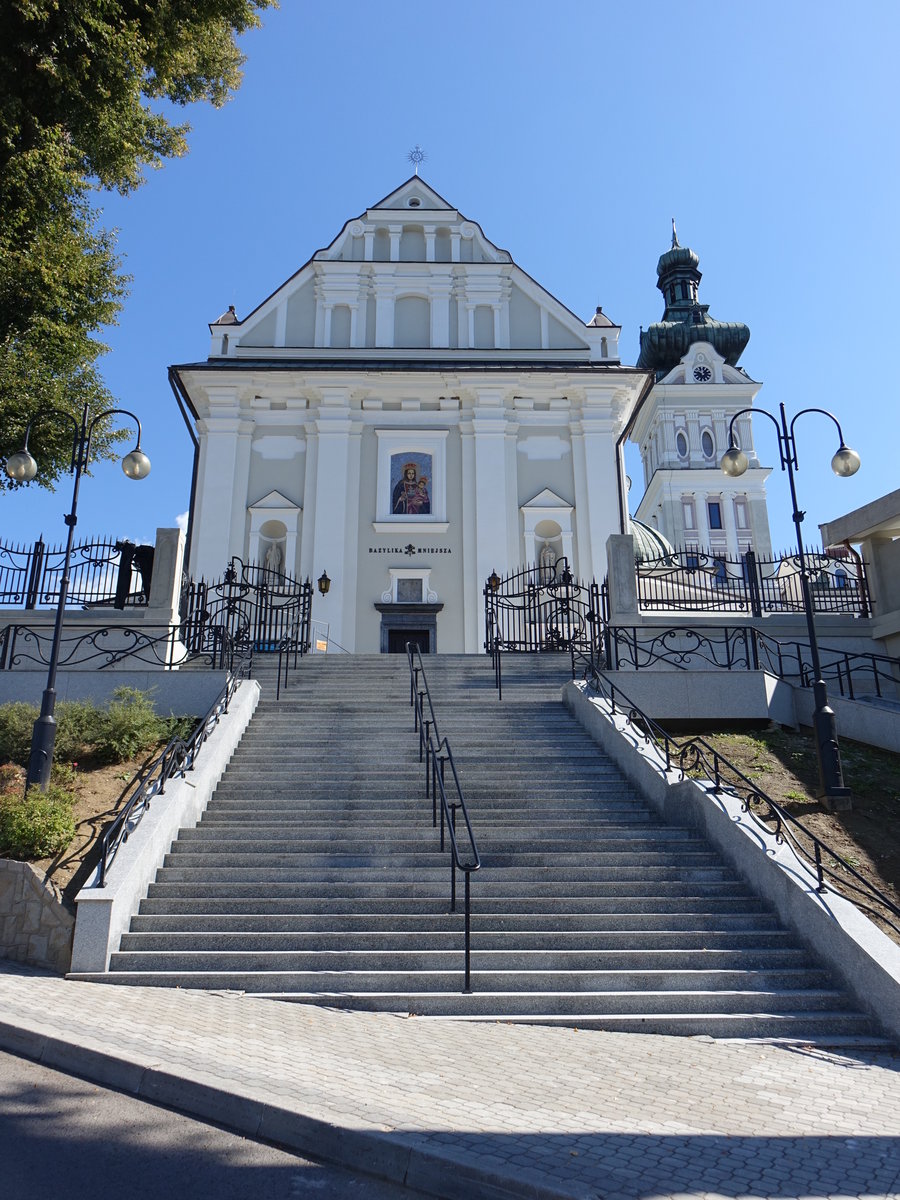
[83, 87]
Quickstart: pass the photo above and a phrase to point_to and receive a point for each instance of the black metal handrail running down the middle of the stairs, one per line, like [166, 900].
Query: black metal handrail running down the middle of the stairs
[437, 754]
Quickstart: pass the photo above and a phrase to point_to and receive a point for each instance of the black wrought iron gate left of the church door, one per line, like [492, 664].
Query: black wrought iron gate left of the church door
[251, 609]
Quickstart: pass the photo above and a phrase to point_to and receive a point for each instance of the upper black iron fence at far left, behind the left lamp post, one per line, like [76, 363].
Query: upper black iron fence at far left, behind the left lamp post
[103, 573]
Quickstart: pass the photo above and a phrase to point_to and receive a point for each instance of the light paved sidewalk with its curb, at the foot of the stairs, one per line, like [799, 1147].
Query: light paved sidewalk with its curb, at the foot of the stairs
[484, 1111]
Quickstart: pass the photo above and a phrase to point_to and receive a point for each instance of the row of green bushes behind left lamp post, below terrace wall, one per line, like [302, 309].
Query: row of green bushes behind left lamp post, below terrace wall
[127, 728]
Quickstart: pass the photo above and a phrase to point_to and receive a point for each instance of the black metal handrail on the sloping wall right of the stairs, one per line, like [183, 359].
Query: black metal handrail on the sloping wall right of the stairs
[691, 755]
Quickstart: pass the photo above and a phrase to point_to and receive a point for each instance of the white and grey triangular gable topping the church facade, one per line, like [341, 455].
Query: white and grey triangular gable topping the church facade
[413, 274]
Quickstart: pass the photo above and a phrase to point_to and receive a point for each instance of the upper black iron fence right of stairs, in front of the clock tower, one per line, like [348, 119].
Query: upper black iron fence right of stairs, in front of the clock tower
[705, 581]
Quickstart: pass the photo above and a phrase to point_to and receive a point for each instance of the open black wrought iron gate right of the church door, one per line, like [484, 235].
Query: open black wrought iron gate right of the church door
[543, 609]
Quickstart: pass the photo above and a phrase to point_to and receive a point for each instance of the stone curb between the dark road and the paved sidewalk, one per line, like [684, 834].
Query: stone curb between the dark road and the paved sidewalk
[398, 1157]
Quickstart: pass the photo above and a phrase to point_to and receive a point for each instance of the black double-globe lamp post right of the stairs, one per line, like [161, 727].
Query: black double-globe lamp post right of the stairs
[845, 463]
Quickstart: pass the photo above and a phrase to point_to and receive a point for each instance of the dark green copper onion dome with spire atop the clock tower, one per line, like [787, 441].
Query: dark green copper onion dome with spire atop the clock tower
[685, 320]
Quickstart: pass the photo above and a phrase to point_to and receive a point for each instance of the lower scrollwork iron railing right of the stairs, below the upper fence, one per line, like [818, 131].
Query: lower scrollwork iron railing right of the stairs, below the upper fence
[854, 674]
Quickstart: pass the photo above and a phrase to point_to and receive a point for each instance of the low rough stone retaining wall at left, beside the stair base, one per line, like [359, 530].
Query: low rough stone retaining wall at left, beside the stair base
[35, 926]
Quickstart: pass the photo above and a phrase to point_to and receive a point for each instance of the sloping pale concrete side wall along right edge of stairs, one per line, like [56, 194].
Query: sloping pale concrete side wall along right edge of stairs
[865, 959]
